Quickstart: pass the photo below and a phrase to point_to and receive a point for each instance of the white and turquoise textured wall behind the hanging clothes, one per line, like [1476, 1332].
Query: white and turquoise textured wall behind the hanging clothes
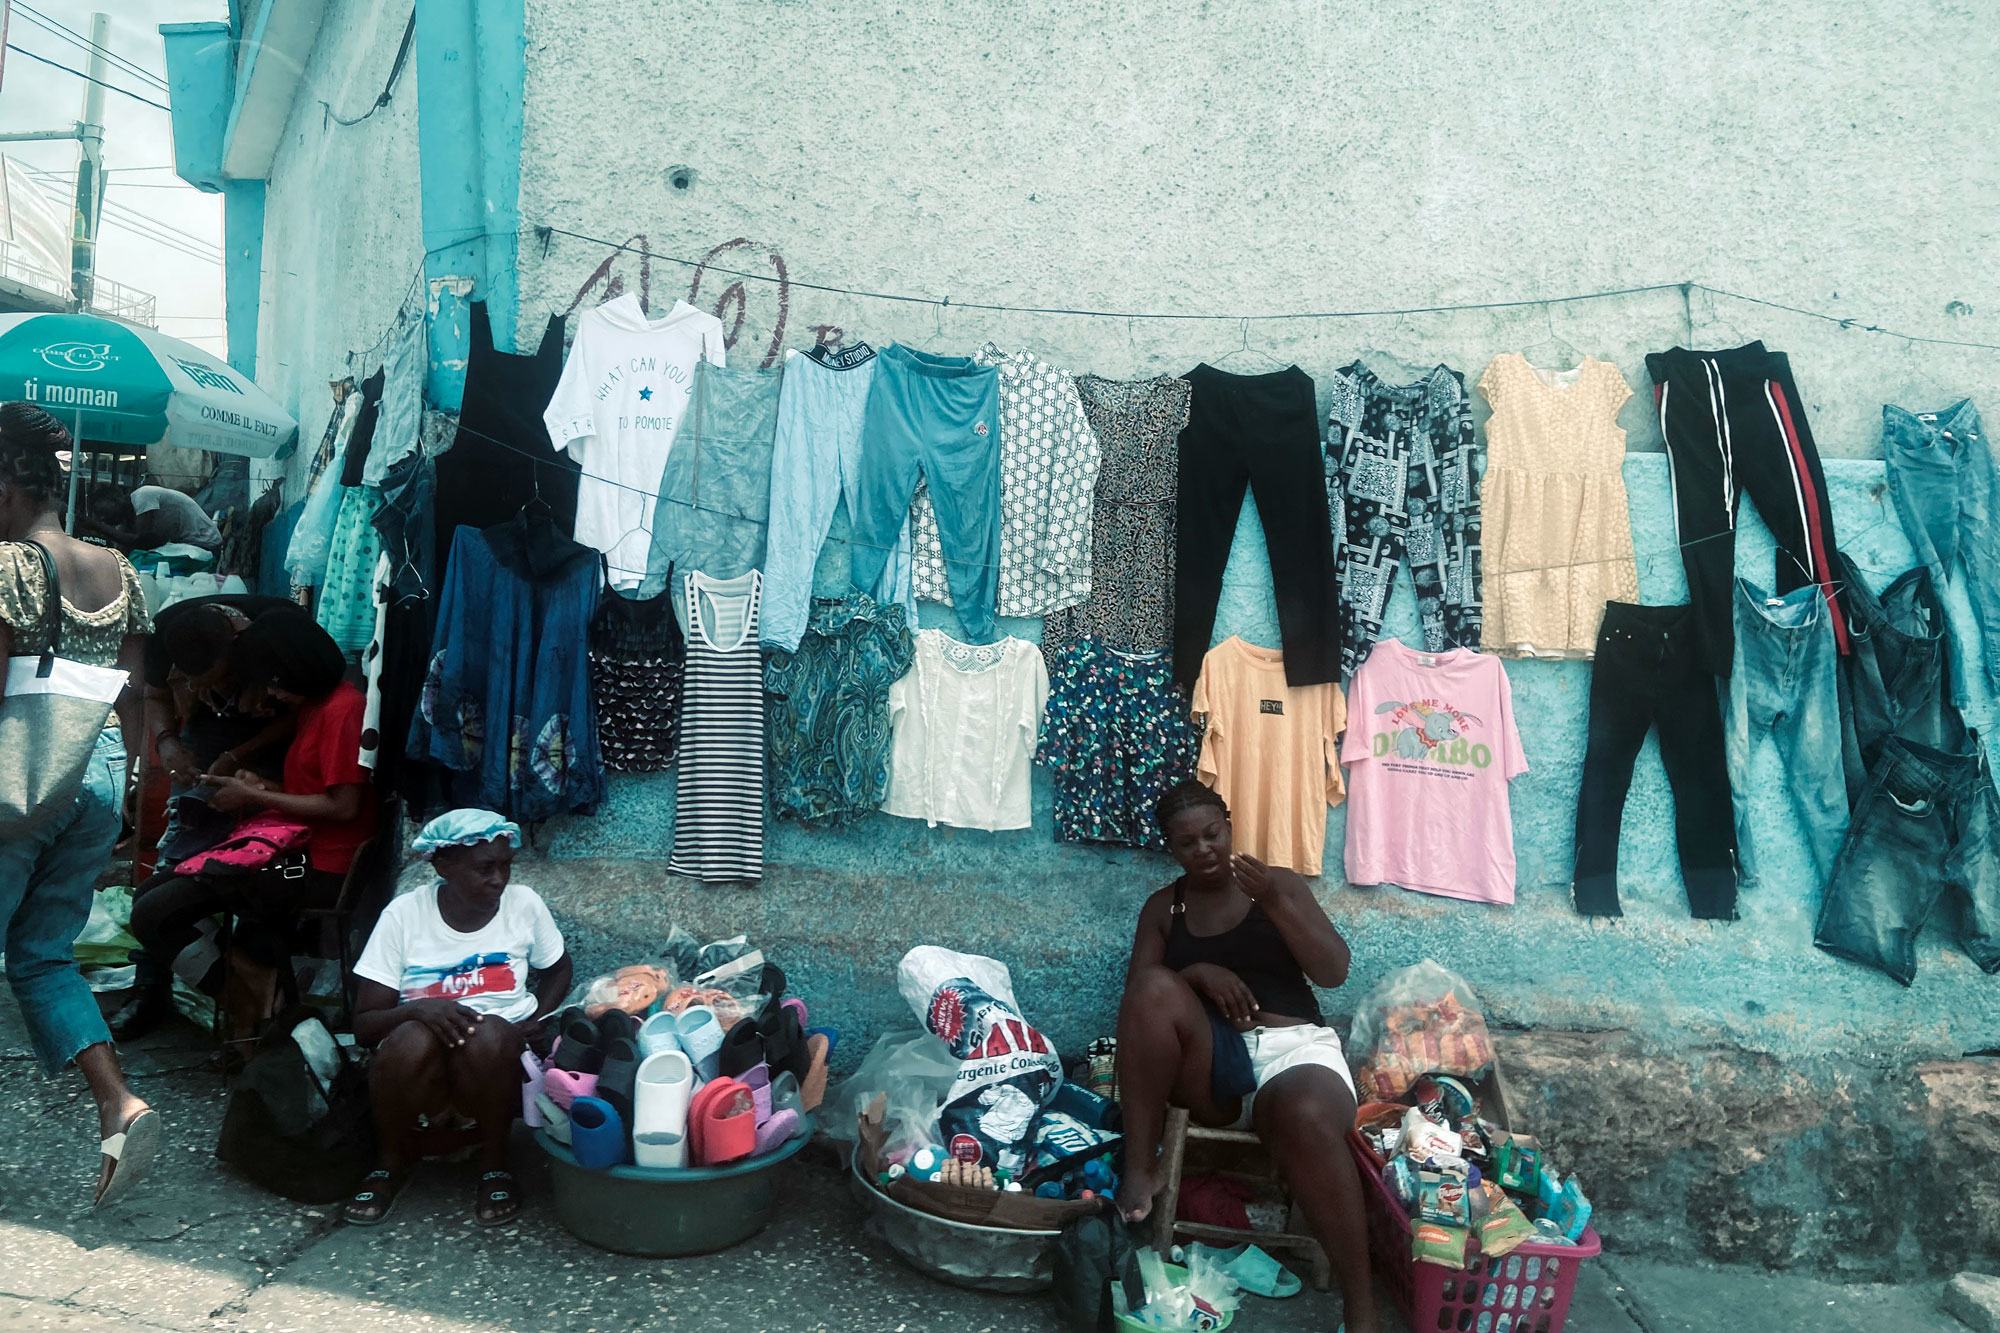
[1313, 157]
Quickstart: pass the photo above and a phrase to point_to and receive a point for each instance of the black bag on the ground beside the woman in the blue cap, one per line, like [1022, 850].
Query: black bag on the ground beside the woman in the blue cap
[299, 1120]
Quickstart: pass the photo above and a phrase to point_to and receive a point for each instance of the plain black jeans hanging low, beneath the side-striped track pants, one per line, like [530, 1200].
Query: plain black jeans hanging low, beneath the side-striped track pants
[1649, 674]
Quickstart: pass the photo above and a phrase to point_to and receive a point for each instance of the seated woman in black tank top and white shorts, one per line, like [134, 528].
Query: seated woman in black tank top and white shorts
[1219, 1018]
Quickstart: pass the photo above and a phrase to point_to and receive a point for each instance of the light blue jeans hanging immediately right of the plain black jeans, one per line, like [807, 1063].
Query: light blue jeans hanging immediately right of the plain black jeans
[1785, 694]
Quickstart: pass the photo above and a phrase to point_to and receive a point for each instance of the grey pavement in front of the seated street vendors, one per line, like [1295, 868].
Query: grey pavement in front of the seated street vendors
[201, 1250]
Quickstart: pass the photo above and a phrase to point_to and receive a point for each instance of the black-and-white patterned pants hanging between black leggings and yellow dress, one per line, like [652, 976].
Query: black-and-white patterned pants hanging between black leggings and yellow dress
[1403, 479]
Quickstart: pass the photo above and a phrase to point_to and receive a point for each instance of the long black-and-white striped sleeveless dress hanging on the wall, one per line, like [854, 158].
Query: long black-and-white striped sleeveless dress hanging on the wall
[719, 822]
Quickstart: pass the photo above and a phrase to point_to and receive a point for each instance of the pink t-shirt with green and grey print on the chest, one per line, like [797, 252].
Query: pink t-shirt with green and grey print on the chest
[1431, 752]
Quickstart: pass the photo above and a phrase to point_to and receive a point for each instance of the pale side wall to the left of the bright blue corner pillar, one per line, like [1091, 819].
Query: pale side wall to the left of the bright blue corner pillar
[341, 223]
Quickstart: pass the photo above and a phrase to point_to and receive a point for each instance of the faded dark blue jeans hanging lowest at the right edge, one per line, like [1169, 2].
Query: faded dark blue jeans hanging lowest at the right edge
[1925, 830]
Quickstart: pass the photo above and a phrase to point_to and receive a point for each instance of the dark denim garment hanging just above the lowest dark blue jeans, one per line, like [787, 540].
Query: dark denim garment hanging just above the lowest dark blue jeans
[1893, 682]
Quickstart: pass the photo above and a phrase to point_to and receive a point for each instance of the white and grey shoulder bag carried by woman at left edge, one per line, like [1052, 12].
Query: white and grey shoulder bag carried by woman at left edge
[51, 720]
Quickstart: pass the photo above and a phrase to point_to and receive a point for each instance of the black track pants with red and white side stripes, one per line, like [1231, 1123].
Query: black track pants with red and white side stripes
[1735, 425]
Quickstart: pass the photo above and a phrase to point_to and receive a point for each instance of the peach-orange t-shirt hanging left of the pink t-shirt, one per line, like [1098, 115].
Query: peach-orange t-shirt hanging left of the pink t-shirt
[1273, 752]
